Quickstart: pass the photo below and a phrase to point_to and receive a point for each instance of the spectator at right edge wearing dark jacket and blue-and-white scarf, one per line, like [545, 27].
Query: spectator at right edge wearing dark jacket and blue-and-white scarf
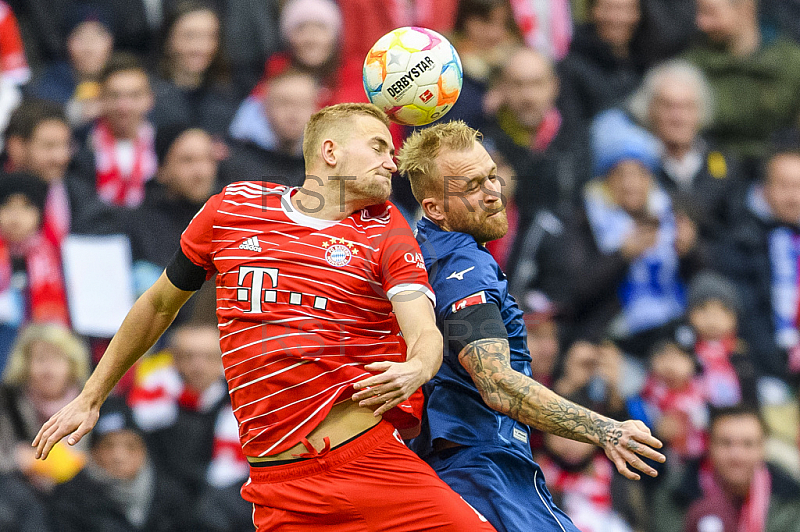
[760, 255]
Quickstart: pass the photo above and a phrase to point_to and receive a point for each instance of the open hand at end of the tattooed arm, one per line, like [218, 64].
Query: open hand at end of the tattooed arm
[624, 441]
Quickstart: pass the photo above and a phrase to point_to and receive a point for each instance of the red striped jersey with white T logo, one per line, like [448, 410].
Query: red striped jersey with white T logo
[303, 304]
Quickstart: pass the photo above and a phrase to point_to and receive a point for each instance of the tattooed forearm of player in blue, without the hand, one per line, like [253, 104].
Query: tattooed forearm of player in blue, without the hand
[525, 400]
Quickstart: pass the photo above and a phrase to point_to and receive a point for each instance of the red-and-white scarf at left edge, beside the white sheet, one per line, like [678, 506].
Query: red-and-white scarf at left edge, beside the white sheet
[46, 299]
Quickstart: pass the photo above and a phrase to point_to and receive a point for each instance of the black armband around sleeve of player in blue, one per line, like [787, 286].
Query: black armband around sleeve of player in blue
[476, 322]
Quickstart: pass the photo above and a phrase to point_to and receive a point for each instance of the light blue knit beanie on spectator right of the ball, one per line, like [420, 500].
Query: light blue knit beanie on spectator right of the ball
[615, 138]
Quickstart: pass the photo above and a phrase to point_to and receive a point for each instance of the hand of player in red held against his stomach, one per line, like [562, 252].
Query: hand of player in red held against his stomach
[396, 384]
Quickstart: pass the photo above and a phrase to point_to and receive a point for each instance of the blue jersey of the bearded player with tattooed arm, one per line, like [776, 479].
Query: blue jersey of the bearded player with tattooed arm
[463, 273]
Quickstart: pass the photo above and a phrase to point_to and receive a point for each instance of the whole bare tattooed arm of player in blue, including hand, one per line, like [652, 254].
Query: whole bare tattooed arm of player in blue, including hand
[525, 400]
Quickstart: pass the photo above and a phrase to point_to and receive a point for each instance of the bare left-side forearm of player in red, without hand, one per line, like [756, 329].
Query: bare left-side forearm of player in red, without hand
[145, 323]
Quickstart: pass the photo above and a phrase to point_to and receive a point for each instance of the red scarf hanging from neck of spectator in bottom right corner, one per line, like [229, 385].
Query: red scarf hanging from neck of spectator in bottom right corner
[753, 513]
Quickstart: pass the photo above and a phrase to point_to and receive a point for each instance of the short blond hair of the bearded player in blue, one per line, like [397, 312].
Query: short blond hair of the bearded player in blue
[418, 155]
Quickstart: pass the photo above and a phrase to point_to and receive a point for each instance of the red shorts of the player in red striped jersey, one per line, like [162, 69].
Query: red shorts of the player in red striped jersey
[369, 484]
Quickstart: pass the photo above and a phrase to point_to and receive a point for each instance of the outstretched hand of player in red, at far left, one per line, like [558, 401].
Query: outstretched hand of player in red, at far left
[76, 420]
